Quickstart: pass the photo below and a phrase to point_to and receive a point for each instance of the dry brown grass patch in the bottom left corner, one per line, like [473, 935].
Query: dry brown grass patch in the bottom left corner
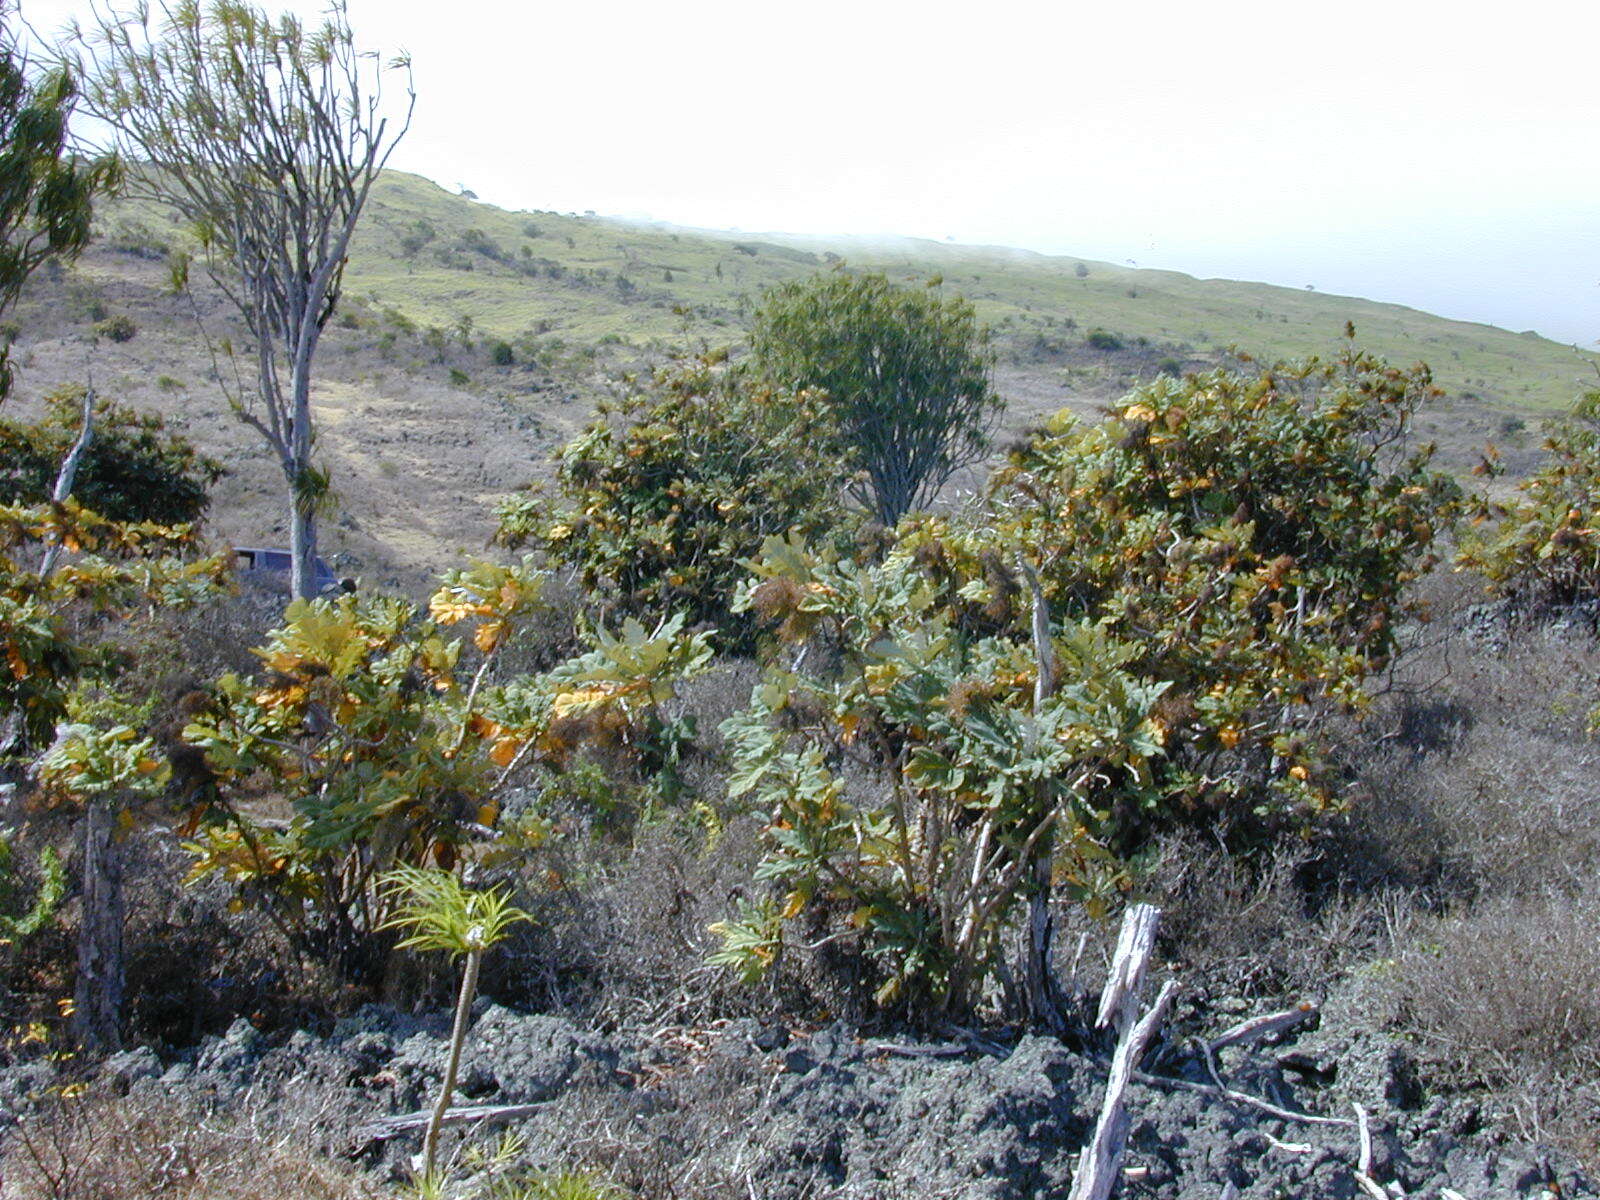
[105, 1148]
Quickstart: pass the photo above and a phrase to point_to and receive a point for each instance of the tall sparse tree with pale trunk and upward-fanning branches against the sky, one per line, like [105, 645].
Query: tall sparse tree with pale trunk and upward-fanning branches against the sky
[266, 137]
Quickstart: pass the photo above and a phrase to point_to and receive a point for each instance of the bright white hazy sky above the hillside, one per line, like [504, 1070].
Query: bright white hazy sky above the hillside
[1438, 156]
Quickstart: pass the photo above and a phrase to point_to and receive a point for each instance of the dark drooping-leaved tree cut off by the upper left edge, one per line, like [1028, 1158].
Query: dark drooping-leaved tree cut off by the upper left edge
[46, 191]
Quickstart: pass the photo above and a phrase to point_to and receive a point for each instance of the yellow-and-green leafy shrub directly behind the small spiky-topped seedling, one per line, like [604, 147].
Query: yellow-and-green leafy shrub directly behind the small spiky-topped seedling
[393, 753]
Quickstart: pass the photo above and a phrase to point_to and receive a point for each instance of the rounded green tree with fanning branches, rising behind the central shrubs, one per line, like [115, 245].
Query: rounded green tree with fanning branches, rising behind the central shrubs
[908, 374]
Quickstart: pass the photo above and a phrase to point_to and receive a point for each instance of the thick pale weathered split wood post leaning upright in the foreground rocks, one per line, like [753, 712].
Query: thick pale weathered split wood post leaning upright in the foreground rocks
[1102, 1161]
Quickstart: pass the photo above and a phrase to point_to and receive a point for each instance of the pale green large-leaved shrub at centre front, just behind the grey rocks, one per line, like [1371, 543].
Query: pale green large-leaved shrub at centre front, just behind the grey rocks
[983, 772]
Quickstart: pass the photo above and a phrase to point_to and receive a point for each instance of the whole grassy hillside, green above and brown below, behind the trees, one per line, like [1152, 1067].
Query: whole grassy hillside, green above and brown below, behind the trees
[425, 428]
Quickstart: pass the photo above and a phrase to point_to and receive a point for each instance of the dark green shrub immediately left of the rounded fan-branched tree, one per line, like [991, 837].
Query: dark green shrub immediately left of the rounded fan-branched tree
[660, 500]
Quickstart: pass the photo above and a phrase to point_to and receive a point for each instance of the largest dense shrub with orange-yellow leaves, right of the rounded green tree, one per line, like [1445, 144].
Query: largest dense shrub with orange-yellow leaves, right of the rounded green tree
[1254, 534]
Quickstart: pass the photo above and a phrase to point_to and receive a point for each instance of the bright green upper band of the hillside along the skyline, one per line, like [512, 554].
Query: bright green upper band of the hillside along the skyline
[582, 279]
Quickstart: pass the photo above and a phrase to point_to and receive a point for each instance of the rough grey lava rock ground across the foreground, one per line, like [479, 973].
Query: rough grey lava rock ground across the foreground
[769, 1111]
